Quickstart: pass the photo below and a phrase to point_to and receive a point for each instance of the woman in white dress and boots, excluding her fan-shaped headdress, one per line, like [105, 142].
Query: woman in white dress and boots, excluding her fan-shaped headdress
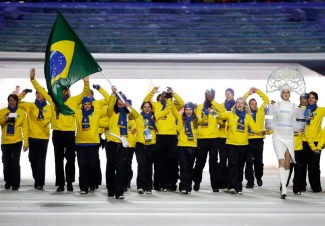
[283, 135]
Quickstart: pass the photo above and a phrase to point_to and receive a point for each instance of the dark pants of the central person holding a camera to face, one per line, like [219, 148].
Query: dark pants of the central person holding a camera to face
[167, 160]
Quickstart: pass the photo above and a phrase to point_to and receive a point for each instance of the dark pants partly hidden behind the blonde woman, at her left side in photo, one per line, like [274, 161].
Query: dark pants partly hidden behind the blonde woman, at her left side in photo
[223, 163]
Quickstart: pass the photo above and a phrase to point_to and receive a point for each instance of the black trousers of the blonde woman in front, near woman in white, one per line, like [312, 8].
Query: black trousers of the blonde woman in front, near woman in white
[236, 162]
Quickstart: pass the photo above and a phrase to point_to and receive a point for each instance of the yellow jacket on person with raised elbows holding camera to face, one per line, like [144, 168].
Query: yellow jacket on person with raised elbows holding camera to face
[166, 125]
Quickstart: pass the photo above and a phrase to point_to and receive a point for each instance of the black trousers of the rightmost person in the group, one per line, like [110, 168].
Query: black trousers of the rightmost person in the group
[313, 167]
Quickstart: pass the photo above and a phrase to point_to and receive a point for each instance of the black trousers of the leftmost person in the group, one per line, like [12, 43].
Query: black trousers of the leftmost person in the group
[11, 163]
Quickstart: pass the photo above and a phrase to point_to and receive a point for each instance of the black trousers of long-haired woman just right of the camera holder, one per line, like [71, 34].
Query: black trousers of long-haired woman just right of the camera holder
[187, 157]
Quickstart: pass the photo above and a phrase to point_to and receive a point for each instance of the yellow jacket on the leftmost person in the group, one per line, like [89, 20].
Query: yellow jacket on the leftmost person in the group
[21, 127]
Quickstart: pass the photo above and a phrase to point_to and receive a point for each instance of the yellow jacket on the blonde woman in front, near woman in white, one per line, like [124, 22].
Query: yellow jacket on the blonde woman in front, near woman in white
[235, 137]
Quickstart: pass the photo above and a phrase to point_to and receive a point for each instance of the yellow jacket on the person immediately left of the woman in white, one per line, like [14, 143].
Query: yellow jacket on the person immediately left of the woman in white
[260, 115]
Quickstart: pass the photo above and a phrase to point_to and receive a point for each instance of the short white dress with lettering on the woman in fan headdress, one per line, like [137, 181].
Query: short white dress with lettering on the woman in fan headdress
[283, 132]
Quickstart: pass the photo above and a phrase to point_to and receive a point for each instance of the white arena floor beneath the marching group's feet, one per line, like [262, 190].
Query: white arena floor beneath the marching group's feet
[258, 206]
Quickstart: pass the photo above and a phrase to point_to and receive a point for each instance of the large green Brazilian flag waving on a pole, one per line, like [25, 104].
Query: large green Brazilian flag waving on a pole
[67, 60]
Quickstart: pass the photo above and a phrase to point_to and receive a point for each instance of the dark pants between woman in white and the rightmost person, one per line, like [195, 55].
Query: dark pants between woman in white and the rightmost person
[300, 170]
